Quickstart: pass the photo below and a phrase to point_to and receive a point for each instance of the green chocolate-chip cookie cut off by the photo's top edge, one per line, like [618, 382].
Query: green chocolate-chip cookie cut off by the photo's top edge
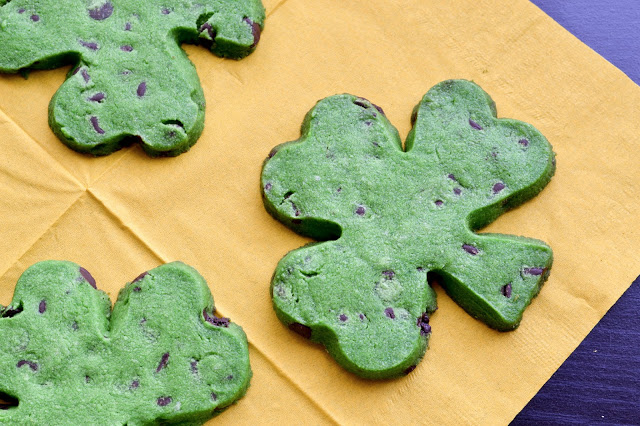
[130, 79]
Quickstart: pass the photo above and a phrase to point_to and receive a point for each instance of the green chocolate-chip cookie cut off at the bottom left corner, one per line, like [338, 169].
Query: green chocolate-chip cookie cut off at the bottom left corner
[160, 356]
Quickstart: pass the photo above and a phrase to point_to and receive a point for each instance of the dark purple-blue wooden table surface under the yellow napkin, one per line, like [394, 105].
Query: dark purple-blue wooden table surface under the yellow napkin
[600, 382]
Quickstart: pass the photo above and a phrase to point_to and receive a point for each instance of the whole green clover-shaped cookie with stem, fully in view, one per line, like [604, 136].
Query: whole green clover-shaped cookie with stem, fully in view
[389, 217]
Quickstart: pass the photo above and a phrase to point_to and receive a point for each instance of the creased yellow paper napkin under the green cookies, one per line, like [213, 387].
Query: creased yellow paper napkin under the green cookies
[123, 214]
